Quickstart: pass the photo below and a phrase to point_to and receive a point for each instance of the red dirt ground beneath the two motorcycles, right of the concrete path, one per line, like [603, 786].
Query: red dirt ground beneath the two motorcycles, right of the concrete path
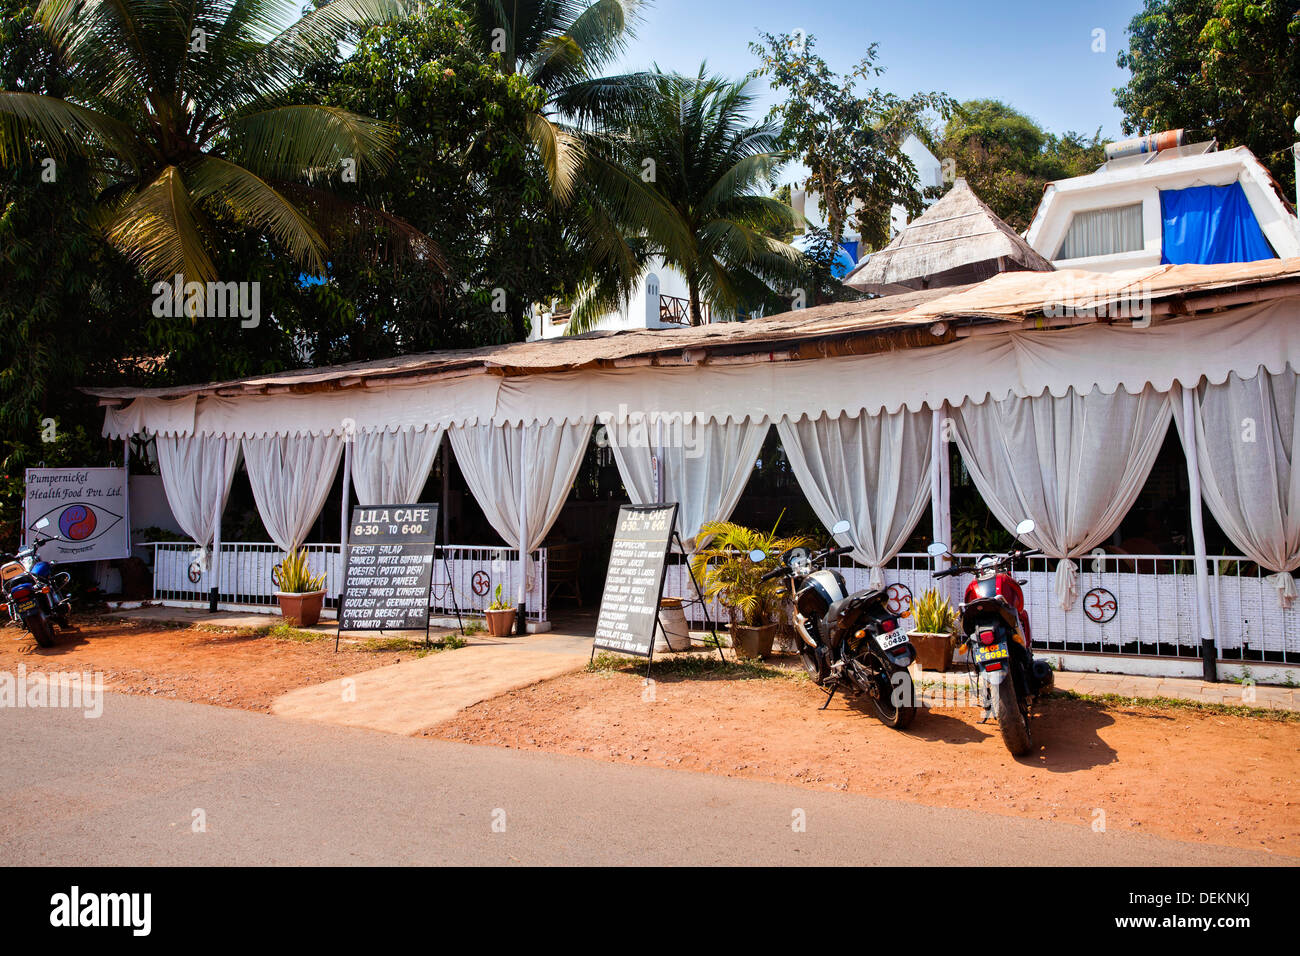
[1169, 772]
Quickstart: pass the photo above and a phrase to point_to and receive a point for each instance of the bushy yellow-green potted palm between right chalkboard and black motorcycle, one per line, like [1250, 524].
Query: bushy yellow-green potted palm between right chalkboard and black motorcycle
[727, 572]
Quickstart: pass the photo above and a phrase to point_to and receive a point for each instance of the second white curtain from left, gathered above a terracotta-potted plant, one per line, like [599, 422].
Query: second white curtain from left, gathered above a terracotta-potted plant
[292, 478]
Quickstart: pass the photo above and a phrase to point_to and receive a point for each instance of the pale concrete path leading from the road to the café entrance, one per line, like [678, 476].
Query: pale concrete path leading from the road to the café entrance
[410, 697]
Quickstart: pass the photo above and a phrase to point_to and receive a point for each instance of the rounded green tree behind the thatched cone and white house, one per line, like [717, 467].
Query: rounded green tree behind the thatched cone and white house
[1007, 158]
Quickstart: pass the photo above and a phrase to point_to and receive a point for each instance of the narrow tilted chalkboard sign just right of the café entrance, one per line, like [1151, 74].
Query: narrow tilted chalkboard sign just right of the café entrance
[634, 582]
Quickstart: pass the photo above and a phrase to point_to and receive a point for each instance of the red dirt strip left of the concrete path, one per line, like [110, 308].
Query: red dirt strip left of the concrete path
[229, 669]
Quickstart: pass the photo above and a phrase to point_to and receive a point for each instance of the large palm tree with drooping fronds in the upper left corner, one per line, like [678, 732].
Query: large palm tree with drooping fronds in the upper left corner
[188, 111]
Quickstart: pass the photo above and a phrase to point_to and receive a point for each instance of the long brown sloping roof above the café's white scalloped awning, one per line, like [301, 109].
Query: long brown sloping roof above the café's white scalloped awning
[905, 321]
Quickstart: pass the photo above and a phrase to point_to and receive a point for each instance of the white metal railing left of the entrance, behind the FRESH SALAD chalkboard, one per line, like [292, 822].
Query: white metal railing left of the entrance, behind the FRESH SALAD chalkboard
[463, 576]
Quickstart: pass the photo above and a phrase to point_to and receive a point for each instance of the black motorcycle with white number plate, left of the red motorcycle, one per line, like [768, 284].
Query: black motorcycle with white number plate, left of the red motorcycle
[847, 641]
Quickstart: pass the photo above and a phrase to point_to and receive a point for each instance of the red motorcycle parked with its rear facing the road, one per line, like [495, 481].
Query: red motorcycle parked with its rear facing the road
[1000, 651]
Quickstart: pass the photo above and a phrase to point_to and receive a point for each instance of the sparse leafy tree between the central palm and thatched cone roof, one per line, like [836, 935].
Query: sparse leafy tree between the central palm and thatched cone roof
[850, 141]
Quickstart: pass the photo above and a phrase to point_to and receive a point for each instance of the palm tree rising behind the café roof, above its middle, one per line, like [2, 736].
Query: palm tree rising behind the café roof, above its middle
[694, 144]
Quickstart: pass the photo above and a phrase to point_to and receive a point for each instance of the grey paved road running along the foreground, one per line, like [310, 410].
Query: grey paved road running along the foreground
[124, 789]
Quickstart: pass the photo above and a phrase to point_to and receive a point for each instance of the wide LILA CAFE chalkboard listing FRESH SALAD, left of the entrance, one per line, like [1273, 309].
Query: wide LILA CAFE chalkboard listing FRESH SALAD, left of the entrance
[389, 569]
